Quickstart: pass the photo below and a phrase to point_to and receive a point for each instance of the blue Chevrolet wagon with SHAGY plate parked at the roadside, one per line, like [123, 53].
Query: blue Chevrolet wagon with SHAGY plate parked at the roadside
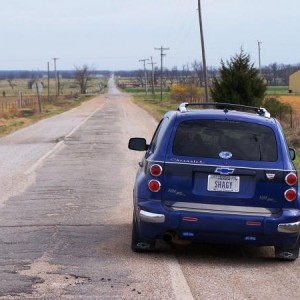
[217, 173]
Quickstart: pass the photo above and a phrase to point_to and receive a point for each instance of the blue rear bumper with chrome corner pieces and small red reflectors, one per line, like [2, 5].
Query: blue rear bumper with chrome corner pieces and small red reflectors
[282, 229]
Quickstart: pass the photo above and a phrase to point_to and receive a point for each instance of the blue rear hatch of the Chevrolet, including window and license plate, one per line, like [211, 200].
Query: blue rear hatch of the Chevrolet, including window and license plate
[223, 166]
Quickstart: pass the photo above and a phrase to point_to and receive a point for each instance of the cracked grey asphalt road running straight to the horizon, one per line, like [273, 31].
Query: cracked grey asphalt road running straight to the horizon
[65, 220]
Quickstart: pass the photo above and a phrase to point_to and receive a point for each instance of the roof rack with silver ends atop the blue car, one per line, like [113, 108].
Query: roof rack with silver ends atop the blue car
[226, 107]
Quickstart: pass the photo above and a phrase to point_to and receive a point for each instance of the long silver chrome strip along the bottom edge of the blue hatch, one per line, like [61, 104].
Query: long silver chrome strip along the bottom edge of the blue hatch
[222, 209]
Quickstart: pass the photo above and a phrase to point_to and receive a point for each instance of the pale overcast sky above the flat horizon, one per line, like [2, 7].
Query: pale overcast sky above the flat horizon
[116, 34]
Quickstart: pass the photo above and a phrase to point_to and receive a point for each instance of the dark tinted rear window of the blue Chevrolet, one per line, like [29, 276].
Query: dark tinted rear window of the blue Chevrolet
[208, 138]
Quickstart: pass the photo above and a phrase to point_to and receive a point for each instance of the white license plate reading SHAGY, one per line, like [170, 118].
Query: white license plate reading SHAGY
[219, 183]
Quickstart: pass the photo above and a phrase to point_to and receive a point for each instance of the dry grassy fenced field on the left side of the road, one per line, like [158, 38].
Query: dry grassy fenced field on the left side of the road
[19, 105]
